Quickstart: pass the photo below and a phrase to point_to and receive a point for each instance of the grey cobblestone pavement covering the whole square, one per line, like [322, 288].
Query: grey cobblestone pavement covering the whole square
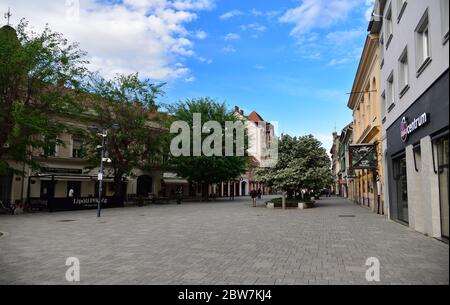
[218, 243]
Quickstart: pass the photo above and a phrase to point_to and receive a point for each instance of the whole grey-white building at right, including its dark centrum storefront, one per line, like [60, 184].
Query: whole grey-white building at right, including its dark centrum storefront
[415, 112]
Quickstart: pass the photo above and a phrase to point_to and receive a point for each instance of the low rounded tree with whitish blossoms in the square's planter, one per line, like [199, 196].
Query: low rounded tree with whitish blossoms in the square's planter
[303, 164]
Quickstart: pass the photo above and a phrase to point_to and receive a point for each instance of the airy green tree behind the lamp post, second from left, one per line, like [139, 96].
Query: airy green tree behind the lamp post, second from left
[130, 103]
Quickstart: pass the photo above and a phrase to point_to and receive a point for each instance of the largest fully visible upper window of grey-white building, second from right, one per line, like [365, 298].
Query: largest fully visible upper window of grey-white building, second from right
[423, 49]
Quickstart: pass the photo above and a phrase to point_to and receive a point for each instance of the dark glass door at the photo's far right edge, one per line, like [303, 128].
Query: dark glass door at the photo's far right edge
[443, 163]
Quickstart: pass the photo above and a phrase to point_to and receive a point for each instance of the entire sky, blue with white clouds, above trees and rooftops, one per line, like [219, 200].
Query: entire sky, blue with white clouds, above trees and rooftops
[293, 61]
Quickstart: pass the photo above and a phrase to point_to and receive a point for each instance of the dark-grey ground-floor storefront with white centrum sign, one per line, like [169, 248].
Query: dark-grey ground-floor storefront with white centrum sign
[417, 159]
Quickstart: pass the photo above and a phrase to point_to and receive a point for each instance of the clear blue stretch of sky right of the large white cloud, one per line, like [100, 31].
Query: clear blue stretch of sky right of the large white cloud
[285, 78]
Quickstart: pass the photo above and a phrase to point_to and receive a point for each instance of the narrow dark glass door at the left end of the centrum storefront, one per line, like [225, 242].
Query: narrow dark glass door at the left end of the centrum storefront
[401, 189]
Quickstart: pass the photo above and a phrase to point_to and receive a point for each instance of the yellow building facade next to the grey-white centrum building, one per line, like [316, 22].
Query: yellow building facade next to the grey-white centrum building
[365, 102]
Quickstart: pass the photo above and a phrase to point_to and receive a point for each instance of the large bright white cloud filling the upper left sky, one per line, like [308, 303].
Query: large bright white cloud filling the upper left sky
[145, 36]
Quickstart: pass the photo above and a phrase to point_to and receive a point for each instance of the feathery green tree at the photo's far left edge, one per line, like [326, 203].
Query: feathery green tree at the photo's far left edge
[40, 77]
